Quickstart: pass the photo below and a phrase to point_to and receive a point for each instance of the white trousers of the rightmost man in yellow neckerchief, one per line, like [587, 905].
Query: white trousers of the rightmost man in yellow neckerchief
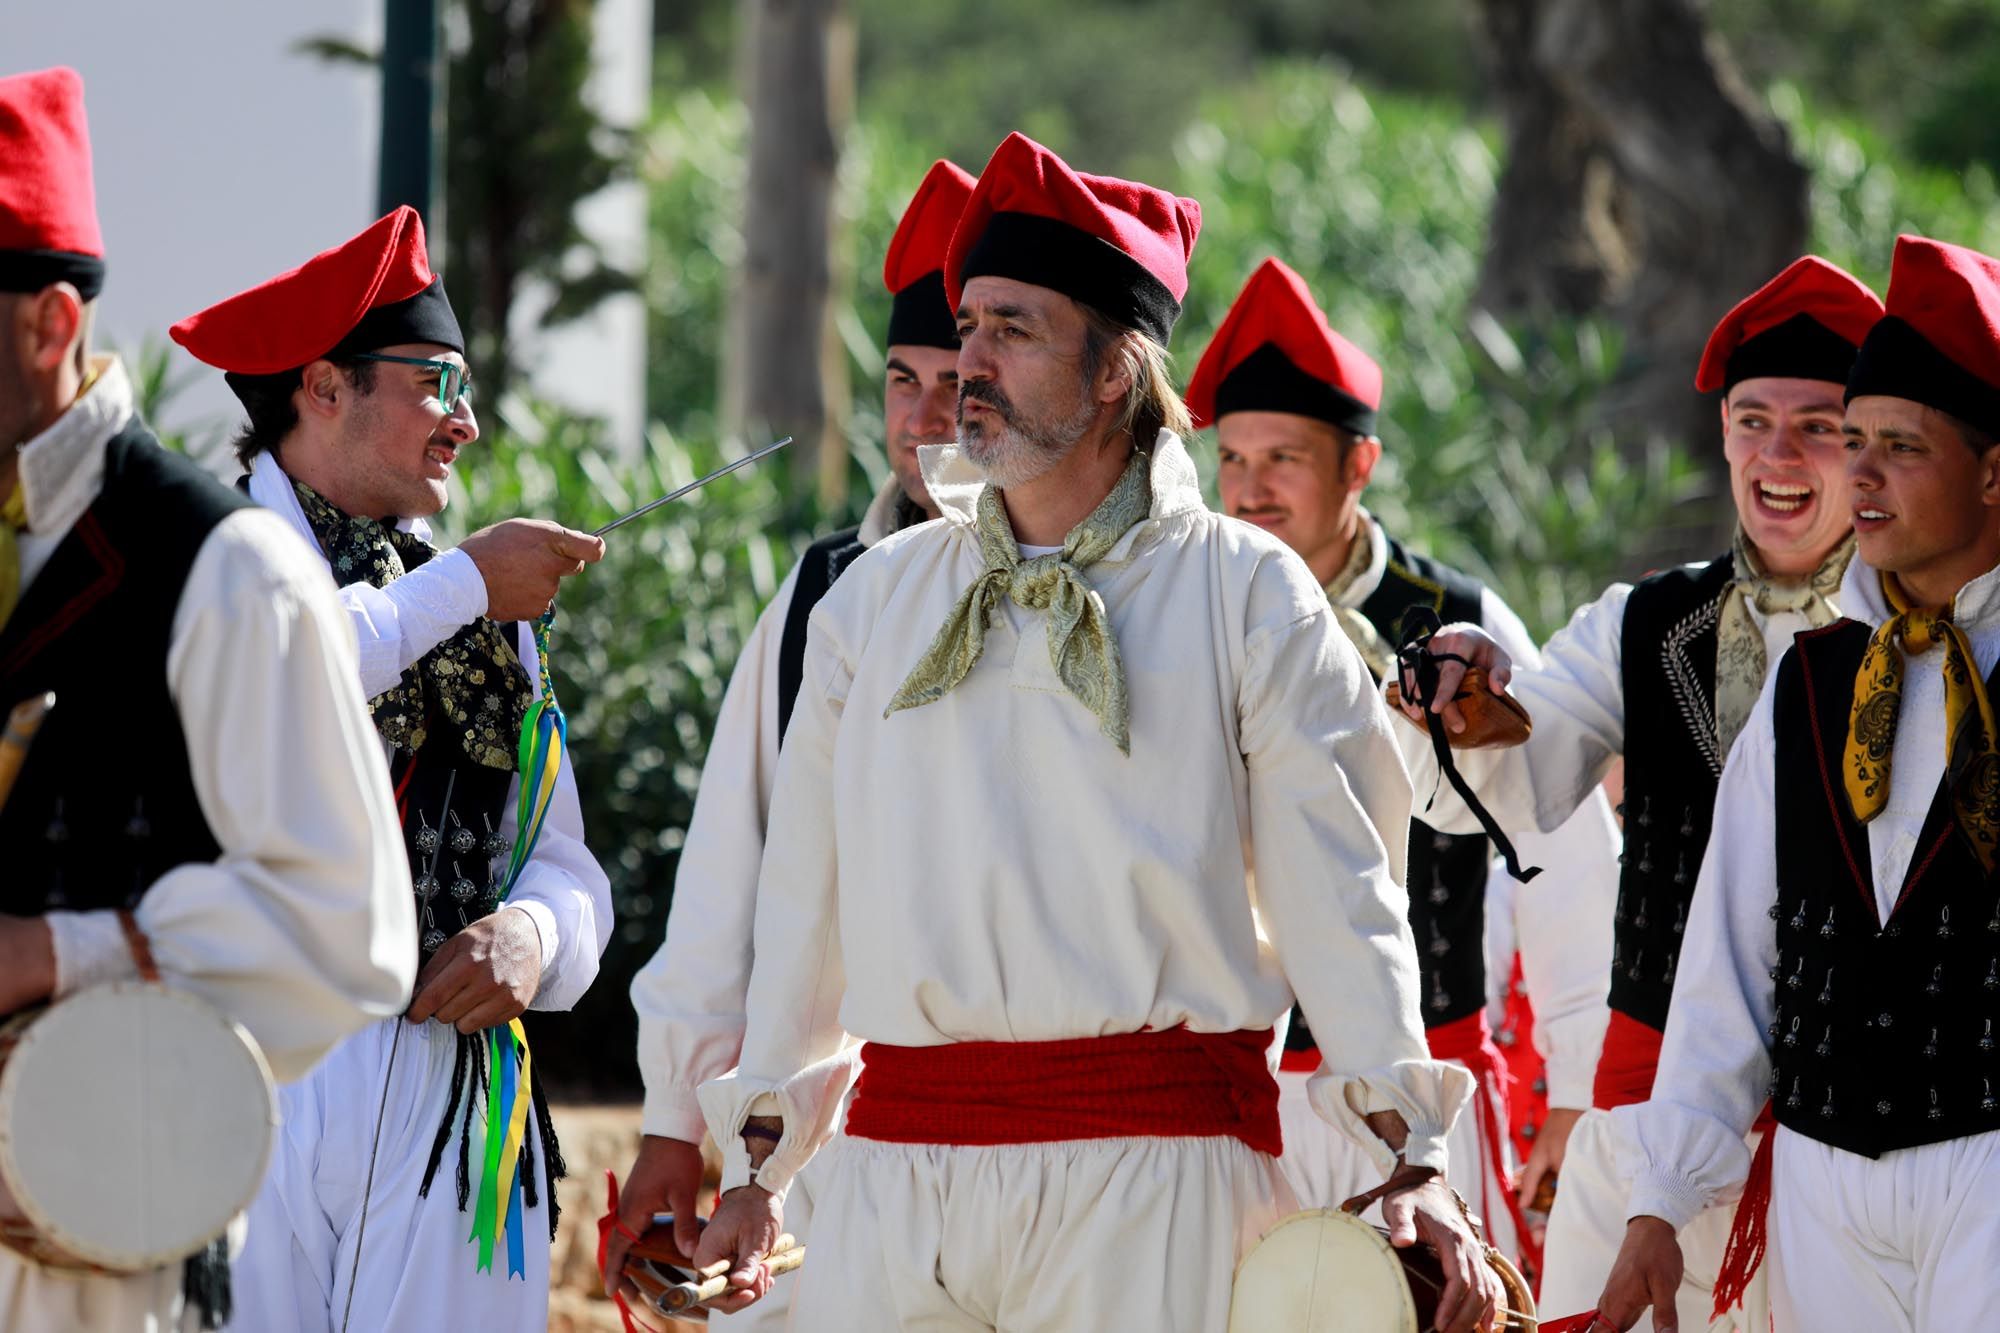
[1901, 1244]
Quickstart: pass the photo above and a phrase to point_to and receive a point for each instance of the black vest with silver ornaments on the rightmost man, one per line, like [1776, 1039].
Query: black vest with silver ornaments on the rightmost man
[1887, 1032]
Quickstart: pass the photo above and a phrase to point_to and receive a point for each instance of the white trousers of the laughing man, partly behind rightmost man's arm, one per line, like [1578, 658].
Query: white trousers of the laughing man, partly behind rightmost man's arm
[1589, 1224]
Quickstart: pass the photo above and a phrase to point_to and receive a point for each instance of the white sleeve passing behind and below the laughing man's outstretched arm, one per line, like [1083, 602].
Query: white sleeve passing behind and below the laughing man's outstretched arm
[1565, 914]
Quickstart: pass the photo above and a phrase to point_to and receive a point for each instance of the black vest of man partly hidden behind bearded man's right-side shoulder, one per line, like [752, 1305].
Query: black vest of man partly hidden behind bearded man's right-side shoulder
[1447, 872]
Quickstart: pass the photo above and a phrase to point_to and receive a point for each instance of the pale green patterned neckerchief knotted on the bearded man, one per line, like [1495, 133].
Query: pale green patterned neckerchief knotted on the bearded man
[1081, 641]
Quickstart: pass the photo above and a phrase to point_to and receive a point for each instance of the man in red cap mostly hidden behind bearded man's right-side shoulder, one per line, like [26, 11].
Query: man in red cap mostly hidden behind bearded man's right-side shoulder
[1295, 409]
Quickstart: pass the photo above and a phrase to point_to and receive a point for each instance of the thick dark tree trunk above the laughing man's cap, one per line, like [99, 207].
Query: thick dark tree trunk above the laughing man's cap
[1643, 185]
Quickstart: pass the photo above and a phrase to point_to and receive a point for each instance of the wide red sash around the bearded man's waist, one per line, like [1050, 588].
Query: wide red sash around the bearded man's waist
[977, 1094]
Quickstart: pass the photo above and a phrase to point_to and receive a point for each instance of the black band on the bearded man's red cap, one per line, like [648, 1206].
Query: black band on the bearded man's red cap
[1071, 261]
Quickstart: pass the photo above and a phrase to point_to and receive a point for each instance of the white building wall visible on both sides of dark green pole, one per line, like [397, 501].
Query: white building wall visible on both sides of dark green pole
[225, 159]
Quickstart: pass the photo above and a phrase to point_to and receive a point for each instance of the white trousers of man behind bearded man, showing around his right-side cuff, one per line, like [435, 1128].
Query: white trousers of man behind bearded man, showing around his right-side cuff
[1325, 1168]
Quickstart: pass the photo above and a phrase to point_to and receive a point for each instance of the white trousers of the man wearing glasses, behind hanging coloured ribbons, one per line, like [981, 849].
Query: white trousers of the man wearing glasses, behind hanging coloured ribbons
[417, 1268]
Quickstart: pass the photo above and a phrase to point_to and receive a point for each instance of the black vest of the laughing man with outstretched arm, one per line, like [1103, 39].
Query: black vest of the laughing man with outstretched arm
[1673, 766]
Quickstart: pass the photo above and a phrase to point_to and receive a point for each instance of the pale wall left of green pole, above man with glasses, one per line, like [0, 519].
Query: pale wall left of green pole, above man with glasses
[221, 155]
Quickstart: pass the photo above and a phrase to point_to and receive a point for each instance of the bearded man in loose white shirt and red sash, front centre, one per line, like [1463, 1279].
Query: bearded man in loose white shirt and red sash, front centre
[1107, 704]
